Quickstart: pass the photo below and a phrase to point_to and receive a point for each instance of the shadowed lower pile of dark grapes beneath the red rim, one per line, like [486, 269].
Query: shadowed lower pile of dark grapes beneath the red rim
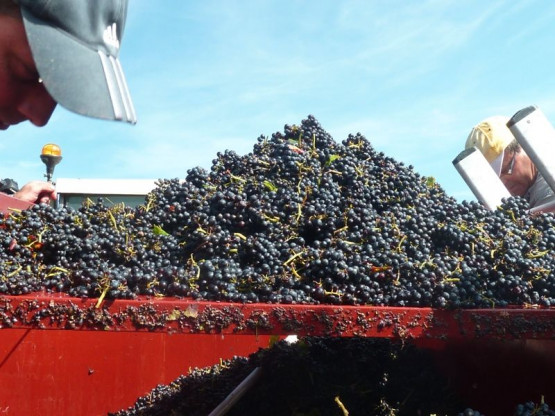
[323, 376]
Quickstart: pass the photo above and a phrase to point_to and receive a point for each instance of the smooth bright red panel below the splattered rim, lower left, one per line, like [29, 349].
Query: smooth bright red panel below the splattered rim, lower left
[61, 372]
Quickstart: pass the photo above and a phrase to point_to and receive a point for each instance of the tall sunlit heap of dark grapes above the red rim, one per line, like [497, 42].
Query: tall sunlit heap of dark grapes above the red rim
[300, 219]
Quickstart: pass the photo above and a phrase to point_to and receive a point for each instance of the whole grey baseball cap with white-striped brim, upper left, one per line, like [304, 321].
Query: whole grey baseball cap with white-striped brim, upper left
[75, 45]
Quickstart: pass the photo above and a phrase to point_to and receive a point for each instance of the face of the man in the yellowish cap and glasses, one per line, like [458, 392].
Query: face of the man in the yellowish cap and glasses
[518, 172]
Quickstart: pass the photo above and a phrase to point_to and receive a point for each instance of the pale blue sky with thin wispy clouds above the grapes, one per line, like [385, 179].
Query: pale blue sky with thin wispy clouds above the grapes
[411, 76]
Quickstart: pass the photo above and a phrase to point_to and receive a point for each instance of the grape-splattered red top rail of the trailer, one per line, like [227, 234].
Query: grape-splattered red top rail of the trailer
[44, 311]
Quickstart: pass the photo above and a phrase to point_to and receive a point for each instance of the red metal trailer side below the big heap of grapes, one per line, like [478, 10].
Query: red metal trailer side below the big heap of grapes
[70, 356]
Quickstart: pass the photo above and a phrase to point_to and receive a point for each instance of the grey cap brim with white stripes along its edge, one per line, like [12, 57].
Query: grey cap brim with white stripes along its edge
[79, 78]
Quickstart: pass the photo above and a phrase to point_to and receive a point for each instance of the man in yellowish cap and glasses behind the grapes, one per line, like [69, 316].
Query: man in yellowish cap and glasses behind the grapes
[511, 163]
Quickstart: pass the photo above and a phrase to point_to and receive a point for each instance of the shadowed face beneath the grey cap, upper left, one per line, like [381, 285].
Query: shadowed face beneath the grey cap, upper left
[22, 96]
